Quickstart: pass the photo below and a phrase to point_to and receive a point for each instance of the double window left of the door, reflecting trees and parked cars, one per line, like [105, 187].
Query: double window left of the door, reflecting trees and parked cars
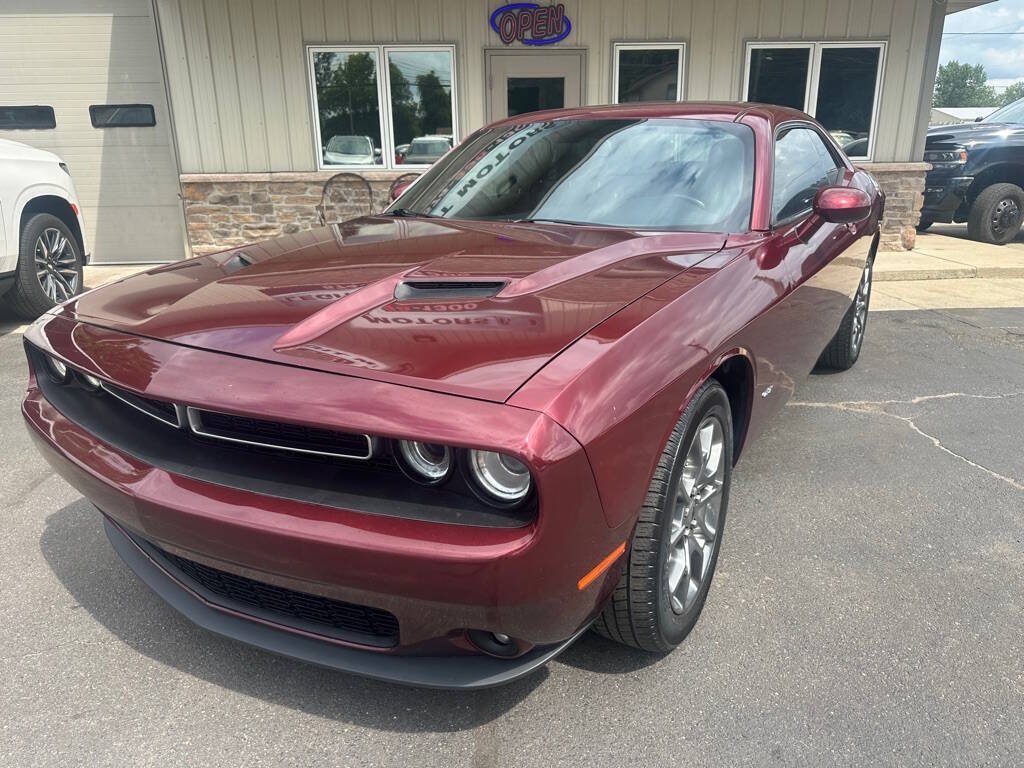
[382, 106]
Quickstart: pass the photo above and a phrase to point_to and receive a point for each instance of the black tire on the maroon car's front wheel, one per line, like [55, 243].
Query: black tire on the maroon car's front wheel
[641, 613]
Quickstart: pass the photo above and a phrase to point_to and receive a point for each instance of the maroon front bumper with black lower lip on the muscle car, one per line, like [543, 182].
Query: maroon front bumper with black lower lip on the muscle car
[438, 580]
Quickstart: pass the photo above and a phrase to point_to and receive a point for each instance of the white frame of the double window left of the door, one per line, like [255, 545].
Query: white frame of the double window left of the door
[381, 51]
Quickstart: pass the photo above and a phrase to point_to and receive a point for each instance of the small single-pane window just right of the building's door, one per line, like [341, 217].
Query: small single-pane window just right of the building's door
[648, 72]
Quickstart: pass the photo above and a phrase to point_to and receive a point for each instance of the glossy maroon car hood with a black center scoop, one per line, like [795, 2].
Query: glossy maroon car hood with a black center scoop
[327, 298]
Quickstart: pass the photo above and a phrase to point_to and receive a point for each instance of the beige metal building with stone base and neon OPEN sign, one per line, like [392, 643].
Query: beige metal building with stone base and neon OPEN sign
[257, 103]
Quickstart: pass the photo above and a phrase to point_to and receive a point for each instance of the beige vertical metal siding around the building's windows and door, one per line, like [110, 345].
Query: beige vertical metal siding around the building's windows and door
[266, 52]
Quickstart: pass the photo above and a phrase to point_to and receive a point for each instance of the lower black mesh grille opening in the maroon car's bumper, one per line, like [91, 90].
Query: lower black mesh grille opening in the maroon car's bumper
[298, 610]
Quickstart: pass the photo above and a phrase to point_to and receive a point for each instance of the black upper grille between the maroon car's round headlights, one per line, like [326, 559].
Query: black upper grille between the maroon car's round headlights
[283, 460]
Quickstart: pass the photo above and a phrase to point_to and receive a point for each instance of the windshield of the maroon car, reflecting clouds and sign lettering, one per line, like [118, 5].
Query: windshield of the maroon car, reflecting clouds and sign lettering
[666, 175]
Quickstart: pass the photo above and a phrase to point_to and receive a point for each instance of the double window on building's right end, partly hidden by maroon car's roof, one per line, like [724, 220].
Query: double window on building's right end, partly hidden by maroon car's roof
[839, 84]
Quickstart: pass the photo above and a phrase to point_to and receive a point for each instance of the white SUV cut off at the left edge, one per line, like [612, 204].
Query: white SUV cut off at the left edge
[42, 241]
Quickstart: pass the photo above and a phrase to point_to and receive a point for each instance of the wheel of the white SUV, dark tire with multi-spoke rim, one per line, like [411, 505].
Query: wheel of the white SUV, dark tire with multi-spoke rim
[50, 268]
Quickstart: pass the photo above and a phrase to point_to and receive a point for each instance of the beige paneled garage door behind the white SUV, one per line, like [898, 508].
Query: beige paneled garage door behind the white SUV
[53, 54]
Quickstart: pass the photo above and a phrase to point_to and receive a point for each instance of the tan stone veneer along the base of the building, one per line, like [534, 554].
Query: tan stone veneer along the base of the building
[228, 210]
